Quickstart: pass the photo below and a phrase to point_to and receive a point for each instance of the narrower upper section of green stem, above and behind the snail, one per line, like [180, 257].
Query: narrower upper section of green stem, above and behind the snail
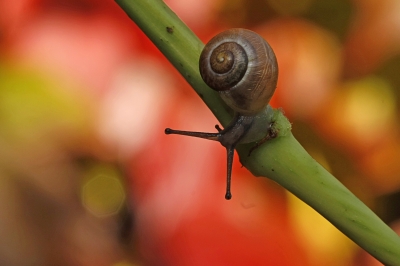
[179, 45]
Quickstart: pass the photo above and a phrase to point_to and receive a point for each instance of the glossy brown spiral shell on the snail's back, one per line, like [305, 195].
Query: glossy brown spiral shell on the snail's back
[244, 69]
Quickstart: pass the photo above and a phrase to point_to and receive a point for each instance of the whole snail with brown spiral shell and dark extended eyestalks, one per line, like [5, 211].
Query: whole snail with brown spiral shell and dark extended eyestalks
[242, 67]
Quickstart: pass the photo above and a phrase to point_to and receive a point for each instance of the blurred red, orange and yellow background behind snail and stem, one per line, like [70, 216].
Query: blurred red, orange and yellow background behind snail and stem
[87, 176]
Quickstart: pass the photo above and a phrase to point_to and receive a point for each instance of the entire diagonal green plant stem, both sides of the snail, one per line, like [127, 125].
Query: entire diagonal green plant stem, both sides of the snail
[282, 159]
